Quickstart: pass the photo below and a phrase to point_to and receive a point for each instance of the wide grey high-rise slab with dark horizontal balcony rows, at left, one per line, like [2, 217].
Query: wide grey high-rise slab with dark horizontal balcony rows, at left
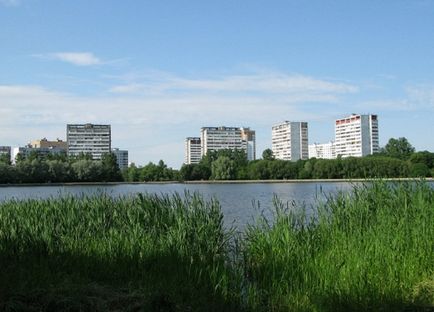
[88, 139]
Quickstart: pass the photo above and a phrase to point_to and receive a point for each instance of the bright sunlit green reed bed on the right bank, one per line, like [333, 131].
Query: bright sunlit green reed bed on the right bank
[369, 250]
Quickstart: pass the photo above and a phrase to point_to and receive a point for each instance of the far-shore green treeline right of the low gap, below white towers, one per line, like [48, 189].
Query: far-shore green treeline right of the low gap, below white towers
[397, 159]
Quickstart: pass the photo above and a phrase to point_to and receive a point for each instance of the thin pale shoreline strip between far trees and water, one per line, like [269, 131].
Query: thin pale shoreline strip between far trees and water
[215, 182]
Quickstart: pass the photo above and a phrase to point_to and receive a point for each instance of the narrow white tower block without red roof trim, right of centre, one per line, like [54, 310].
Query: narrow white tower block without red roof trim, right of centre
[289, 140]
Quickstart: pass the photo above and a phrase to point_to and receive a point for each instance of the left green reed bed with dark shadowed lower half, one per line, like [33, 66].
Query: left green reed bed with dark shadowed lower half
[102, 253]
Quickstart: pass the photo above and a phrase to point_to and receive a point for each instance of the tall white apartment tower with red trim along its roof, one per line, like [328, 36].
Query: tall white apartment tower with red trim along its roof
[356, 135]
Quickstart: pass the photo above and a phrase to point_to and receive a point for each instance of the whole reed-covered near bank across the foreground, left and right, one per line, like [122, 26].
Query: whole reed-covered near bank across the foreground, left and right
[366, 250]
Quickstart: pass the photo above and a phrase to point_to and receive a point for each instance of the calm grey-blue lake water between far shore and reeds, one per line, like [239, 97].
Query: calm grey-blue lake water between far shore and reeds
[239, 202]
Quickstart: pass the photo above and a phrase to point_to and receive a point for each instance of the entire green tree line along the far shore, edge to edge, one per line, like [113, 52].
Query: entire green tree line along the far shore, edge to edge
[398, 159]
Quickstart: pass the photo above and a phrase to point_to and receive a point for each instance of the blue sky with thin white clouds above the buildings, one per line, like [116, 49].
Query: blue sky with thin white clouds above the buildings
[158, 71]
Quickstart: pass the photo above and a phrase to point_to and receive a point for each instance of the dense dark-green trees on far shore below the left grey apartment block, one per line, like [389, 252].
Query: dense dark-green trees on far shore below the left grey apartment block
[59, 168]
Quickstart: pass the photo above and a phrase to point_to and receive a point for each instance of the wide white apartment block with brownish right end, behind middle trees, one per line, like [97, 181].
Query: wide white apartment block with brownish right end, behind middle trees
[218, 138]
